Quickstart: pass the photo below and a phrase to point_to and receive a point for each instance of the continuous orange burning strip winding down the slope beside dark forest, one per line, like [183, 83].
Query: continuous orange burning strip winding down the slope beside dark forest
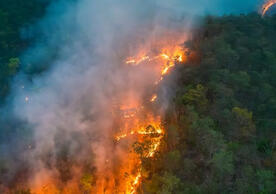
[139, 131]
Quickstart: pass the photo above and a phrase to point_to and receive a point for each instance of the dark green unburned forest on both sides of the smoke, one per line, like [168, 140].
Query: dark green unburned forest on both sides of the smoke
[220, 123]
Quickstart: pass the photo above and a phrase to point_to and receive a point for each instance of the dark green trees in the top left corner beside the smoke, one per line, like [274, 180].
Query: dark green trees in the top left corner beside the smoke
[15, 15]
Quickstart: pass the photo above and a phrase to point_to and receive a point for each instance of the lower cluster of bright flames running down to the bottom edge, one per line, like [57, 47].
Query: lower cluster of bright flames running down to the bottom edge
[144, 130]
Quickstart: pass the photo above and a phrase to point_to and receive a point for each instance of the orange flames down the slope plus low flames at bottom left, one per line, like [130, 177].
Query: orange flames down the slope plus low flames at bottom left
[135, 125]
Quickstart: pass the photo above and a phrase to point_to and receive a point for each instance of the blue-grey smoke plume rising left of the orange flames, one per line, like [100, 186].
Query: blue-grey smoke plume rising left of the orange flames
[67, 110]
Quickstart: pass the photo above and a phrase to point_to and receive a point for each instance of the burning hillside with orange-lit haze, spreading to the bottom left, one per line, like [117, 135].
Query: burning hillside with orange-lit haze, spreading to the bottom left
[136, 133]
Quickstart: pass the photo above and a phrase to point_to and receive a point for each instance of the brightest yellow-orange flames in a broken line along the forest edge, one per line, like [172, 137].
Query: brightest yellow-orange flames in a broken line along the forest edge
[143, 126]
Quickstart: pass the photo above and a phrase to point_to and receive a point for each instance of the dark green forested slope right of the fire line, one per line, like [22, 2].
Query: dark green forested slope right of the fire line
[225, 109]
